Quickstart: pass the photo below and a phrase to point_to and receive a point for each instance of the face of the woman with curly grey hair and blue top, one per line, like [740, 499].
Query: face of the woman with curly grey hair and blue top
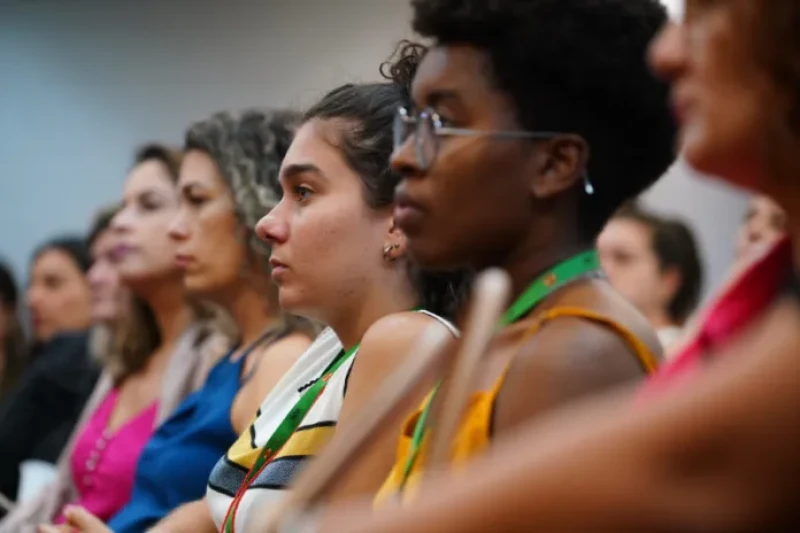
[210, 244]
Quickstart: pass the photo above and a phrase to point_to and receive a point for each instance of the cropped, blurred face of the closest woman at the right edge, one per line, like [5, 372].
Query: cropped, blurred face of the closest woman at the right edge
[728, 104]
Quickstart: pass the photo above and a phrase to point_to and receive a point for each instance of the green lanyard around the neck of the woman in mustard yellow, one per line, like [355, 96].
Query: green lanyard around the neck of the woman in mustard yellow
[543, 286]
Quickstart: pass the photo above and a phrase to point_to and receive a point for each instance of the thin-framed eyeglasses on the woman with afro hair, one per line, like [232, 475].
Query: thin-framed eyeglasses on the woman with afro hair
[427, 128]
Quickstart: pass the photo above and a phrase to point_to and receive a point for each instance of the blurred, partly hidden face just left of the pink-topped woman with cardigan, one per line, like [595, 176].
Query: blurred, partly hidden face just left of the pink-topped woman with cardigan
[109, 297]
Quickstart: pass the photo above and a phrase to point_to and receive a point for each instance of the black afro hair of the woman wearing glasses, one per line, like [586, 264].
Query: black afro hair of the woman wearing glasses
[575, 66]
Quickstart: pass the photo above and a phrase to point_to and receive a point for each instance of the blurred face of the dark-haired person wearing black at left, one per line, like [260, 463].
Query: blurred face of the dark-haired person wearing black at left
[58, 295]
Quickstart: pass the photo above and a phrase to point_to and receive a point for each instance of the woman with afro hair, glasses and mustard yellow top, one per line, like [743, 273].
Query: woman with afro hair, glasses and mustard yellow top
[513, 156]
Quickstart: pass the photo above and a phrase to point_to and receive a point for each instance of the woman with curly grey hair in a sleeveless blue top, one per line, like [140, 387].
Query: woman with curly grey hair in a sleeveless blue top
[228, 180]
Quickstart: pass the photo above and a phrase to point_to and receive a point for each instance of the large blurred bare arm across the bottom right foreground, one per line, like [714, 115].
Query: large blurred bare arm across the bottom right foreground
[720, 454]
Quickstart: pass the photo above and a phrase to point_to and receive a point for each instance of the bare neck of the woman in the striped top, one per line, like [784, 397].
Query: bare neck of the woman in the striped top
[383, 297]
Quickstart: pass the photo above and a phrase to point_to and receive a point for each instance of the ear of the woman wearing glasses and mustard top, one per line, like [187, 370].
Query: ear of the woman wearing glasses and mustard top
[558, 165]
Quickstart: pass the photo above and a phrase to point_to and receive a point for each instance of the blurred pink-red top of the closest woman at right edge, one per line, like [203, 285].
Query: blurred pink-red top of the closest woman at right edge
[737, 307]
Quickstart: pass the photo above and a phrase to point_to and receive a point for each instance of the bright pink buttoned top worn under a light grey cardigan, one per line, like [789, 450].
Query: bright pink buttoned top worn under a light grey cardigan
[104, 462]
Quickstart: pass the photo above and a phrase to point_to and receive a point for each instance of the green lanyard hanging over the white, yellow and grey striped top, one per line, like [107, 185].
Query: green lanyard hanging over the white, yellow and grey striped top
[283, 432]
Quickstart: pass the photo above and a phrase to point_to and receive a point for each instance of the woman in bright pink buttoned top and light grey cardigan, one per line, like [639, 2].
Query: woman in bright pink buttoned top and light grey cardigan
[150, 348]
